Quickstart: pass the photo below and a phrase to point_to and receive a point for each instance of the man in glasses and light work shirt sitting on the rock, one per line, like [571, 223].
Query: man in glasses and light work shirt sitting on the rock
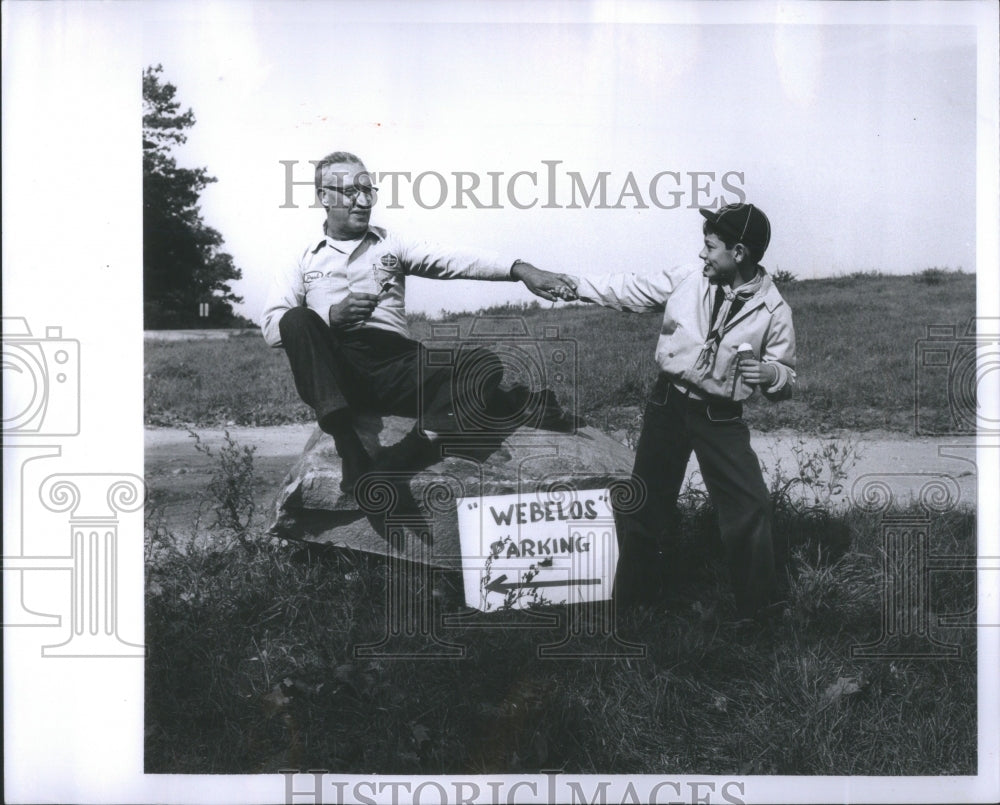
[339, 313]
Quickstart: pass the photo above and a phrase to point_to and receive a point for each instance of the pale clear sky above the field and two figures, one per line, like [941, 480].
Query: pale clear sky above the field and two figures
[856, 137]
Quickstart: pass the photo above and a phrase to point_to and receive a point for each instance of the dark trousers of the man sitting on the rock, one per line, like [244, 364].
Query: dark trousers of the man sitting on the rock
[370, 369]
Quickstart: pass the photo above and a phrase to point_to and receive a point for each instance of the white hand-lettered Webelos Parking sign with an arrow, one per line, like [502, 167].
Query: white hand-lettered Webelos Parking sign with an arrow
[537, 548]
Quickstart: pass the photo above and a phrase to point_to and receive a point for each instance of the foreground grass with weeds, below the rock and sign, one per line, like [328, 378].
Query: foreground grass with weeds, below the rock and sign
[253, 663]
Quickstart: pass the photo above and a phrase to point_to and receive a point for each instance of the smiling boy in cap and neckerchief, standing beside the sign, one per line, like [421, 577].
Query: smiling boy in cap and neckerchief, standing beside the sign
[696, 404]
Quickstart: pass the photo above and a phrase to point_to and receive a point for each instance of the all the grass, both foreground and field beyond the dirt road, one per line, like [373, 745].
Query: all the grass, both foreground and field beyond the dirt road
[253, 663]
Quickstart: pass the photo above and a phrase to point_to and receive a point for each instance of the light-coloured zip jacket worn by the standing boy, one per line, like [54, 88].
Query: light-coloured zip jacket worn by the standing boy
[686, 296]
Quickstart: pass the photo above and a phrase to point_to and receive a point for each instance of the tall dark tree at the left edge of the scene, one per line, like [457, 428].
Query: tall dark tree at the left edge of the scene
[183, 265]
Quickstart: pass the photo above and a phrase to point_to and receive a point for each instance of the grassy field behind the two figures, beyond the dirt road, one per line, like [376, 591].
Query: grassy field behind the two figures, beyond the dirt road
[856, 338]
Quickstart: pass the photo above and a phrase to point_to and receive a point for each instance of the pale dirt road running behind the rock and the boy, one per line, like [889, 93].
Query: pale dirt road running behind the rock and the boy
[177, 475]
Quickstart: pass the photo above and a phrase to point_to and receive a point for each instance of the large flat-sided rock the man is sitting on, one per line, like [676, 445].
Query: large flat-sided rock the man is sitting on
[414, 516]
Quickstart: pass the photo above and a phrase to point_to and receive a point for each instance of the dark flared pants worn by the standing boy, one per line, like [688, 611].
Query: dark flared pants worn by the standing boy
[673, 427]
